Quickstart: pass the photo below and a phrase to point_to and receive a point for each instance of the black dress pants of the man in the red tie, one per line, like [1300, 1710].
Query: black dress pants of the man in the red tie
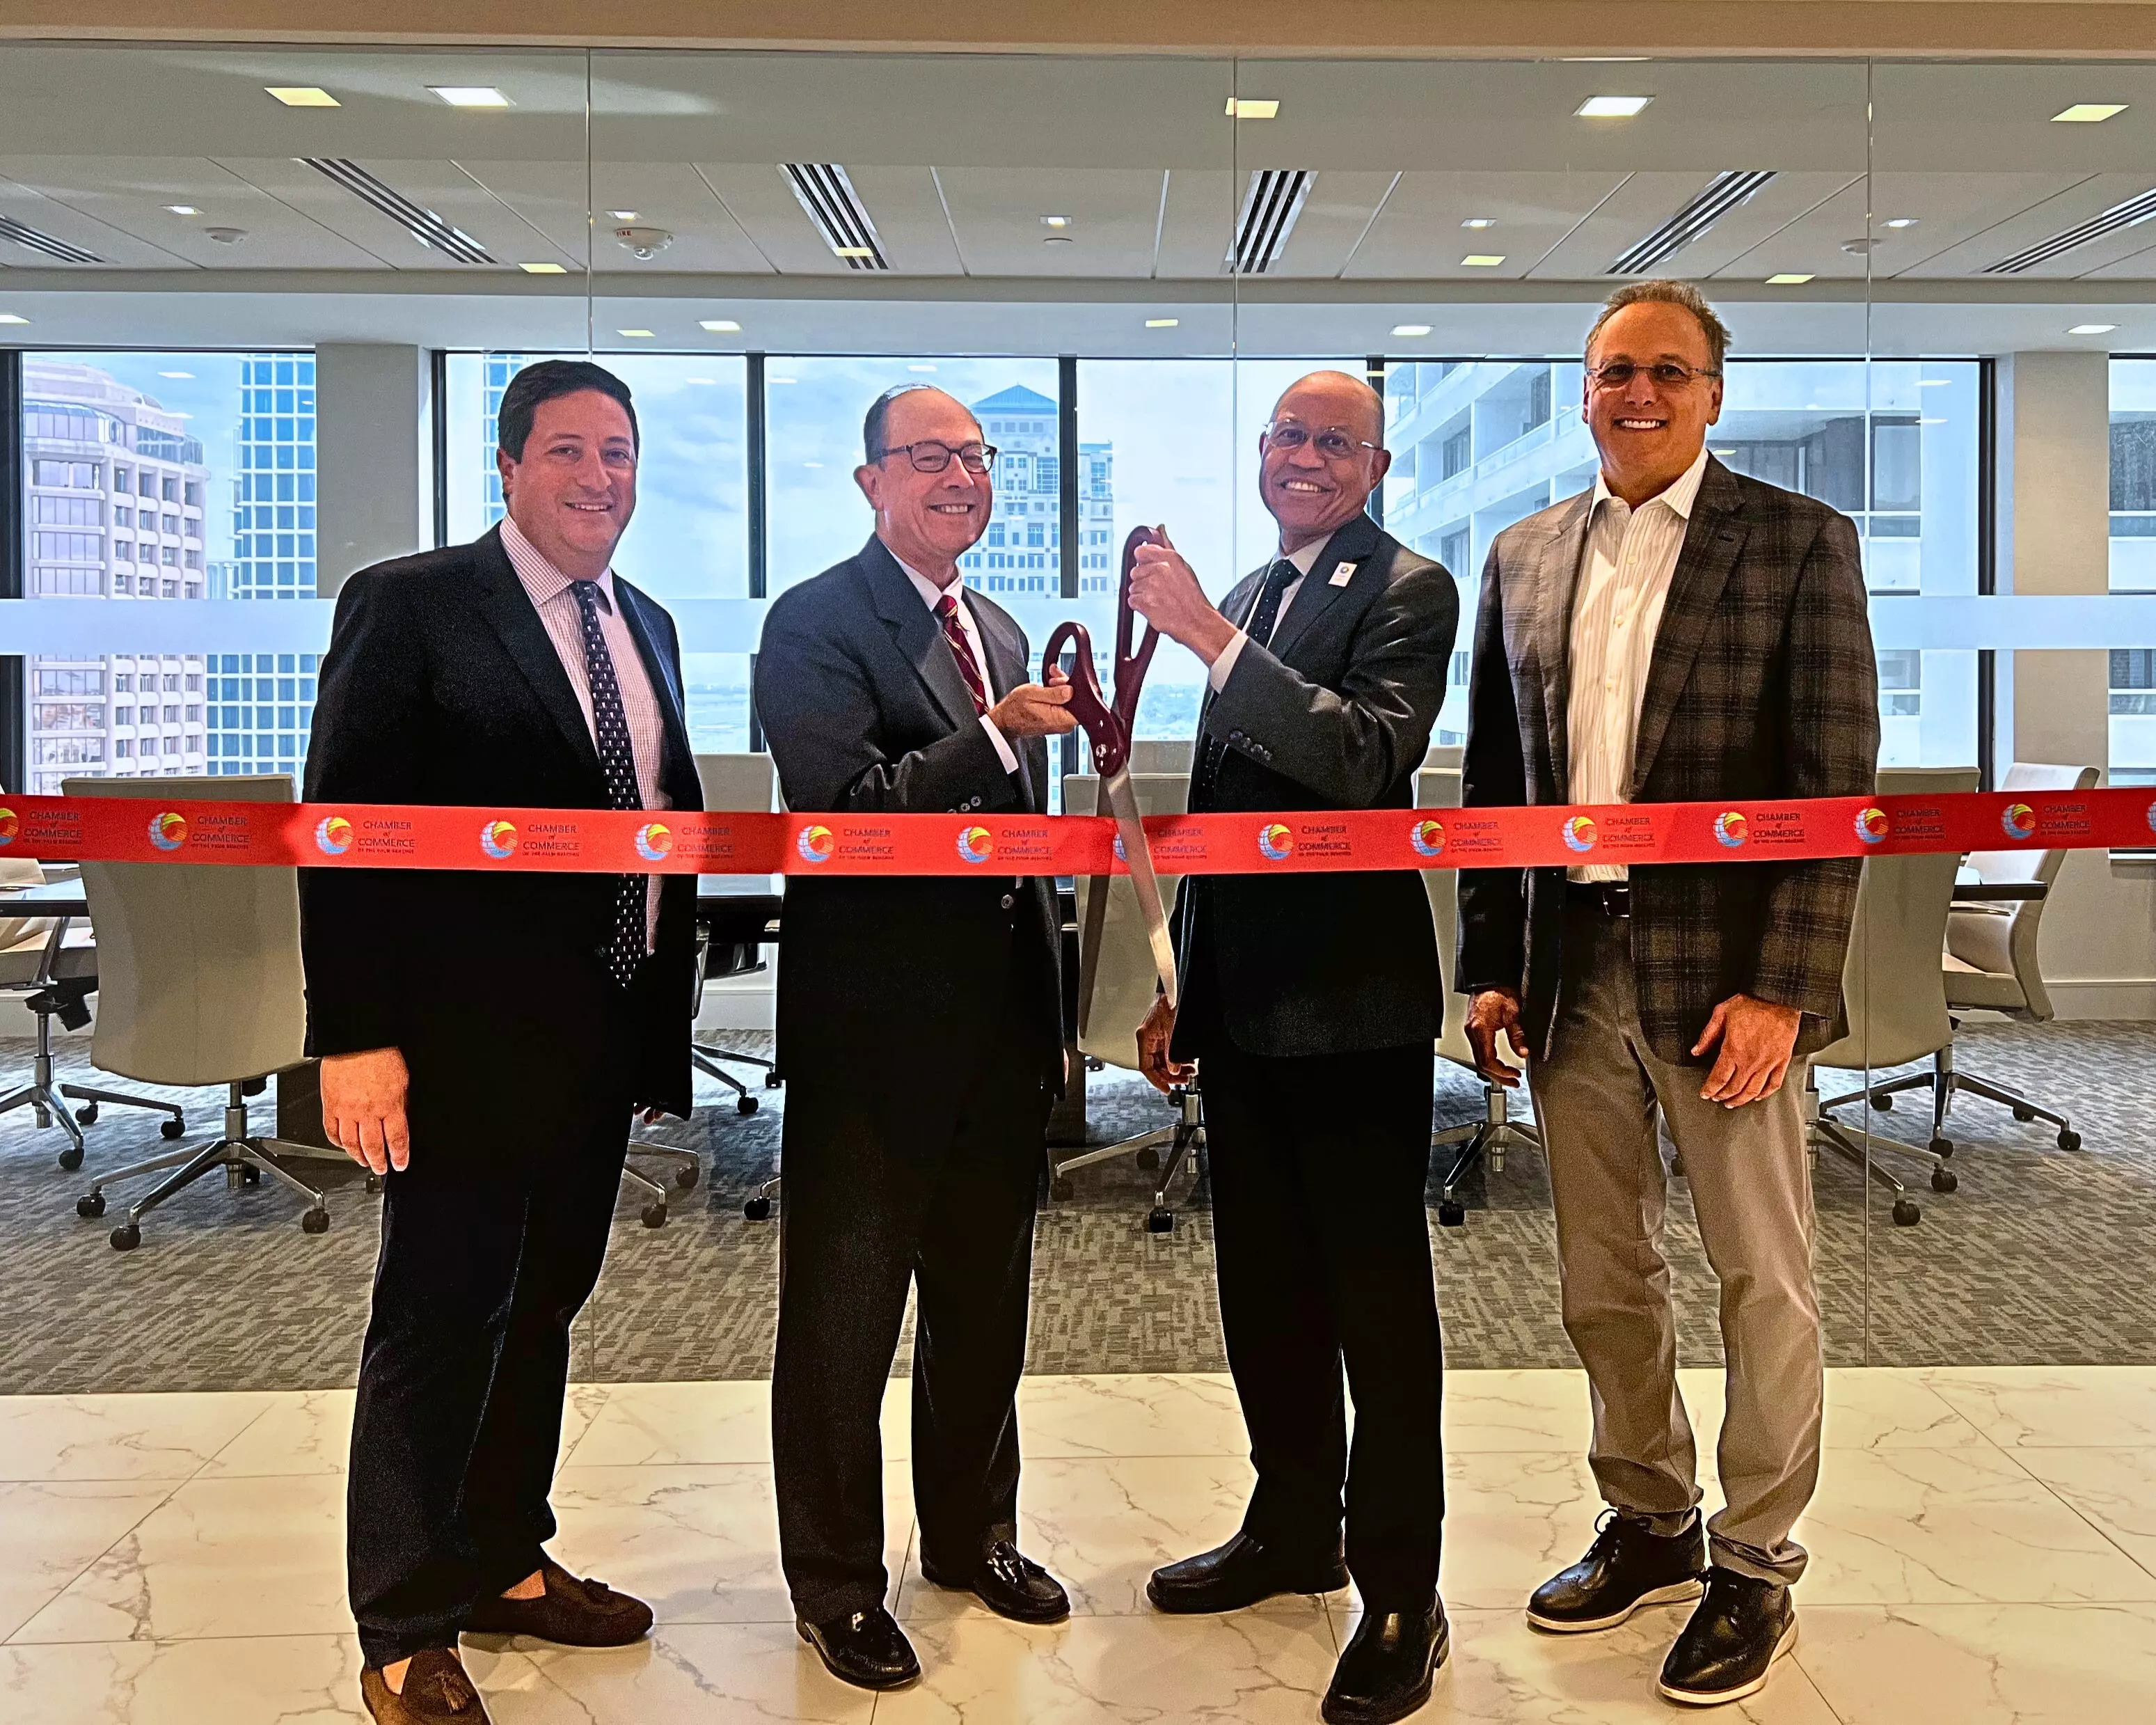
[889, 1187]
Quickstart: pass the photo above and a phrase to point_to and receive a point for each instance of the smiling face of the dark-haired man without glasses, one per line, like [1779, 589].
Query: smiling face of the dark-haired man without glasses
[575, 488]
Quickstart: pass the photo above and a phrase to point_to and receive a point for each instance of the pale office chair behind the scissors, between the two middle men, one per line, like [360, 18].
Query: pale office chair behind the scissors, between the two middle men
[1122, 997]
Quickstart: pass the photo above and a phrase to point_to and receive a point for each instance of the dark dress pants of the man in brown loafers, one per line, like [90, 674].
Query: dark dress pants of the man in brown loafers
[486, 1260]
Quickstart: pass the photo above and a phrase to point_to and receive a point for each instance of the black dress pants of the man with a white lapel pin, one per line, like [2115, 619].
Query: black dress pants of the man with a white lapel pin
[1323, 1243]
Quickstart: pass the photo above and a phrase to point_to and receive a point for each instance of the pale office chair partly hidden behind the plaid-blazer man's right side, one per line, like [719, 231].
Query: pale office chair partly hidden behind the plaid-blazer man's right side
[1894, 1004]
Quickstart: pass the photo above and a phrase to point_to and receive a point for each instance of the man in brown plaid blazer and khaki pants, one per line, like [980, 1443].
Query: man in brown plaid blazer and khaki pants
[1676, 635]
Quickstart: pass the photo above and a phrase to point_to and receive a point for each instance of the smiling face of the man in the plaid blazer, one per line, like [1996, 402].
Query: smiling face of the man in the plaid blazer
[1650, 434]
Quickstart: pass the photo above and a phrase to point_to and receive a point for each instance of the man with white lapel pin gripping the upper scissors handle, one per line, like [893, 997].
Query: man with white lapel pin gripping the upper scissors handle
[1312, 1006]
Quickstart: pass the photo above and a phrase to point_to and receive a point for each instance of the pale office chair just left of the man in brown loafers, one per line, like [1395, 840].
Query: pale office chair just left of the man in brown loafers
[199, 984]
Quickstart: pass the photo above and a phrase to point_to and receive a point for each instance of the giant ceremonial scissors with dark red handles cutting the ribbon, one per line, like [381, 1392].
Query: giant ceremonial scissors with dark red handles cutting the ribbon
[1107, 723]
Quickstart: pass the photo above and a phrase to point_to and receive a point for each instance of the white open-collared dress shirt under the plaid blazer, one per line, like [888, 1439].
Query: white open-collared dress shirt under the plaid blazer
[1616, 616]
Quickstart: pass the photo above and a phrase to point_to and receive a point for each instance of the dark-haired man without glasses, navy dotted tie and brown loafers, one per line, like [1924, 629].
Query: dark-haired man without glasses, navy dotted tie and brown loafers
[486, 1036]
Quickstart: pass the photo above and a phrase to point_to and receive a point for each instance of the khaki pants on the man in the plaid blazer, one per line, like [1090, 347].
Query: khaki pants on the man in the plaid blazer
[1752, 1191]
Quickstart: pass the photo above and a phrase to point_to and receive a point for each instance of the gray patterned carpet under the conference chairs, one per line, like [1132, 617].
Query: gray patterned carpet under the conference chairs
[2038, 1258]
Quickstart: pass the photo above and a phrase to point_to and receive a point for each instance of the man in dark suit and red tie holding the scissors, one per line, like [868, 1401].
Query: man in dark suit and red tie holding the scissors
[920, 1025]
